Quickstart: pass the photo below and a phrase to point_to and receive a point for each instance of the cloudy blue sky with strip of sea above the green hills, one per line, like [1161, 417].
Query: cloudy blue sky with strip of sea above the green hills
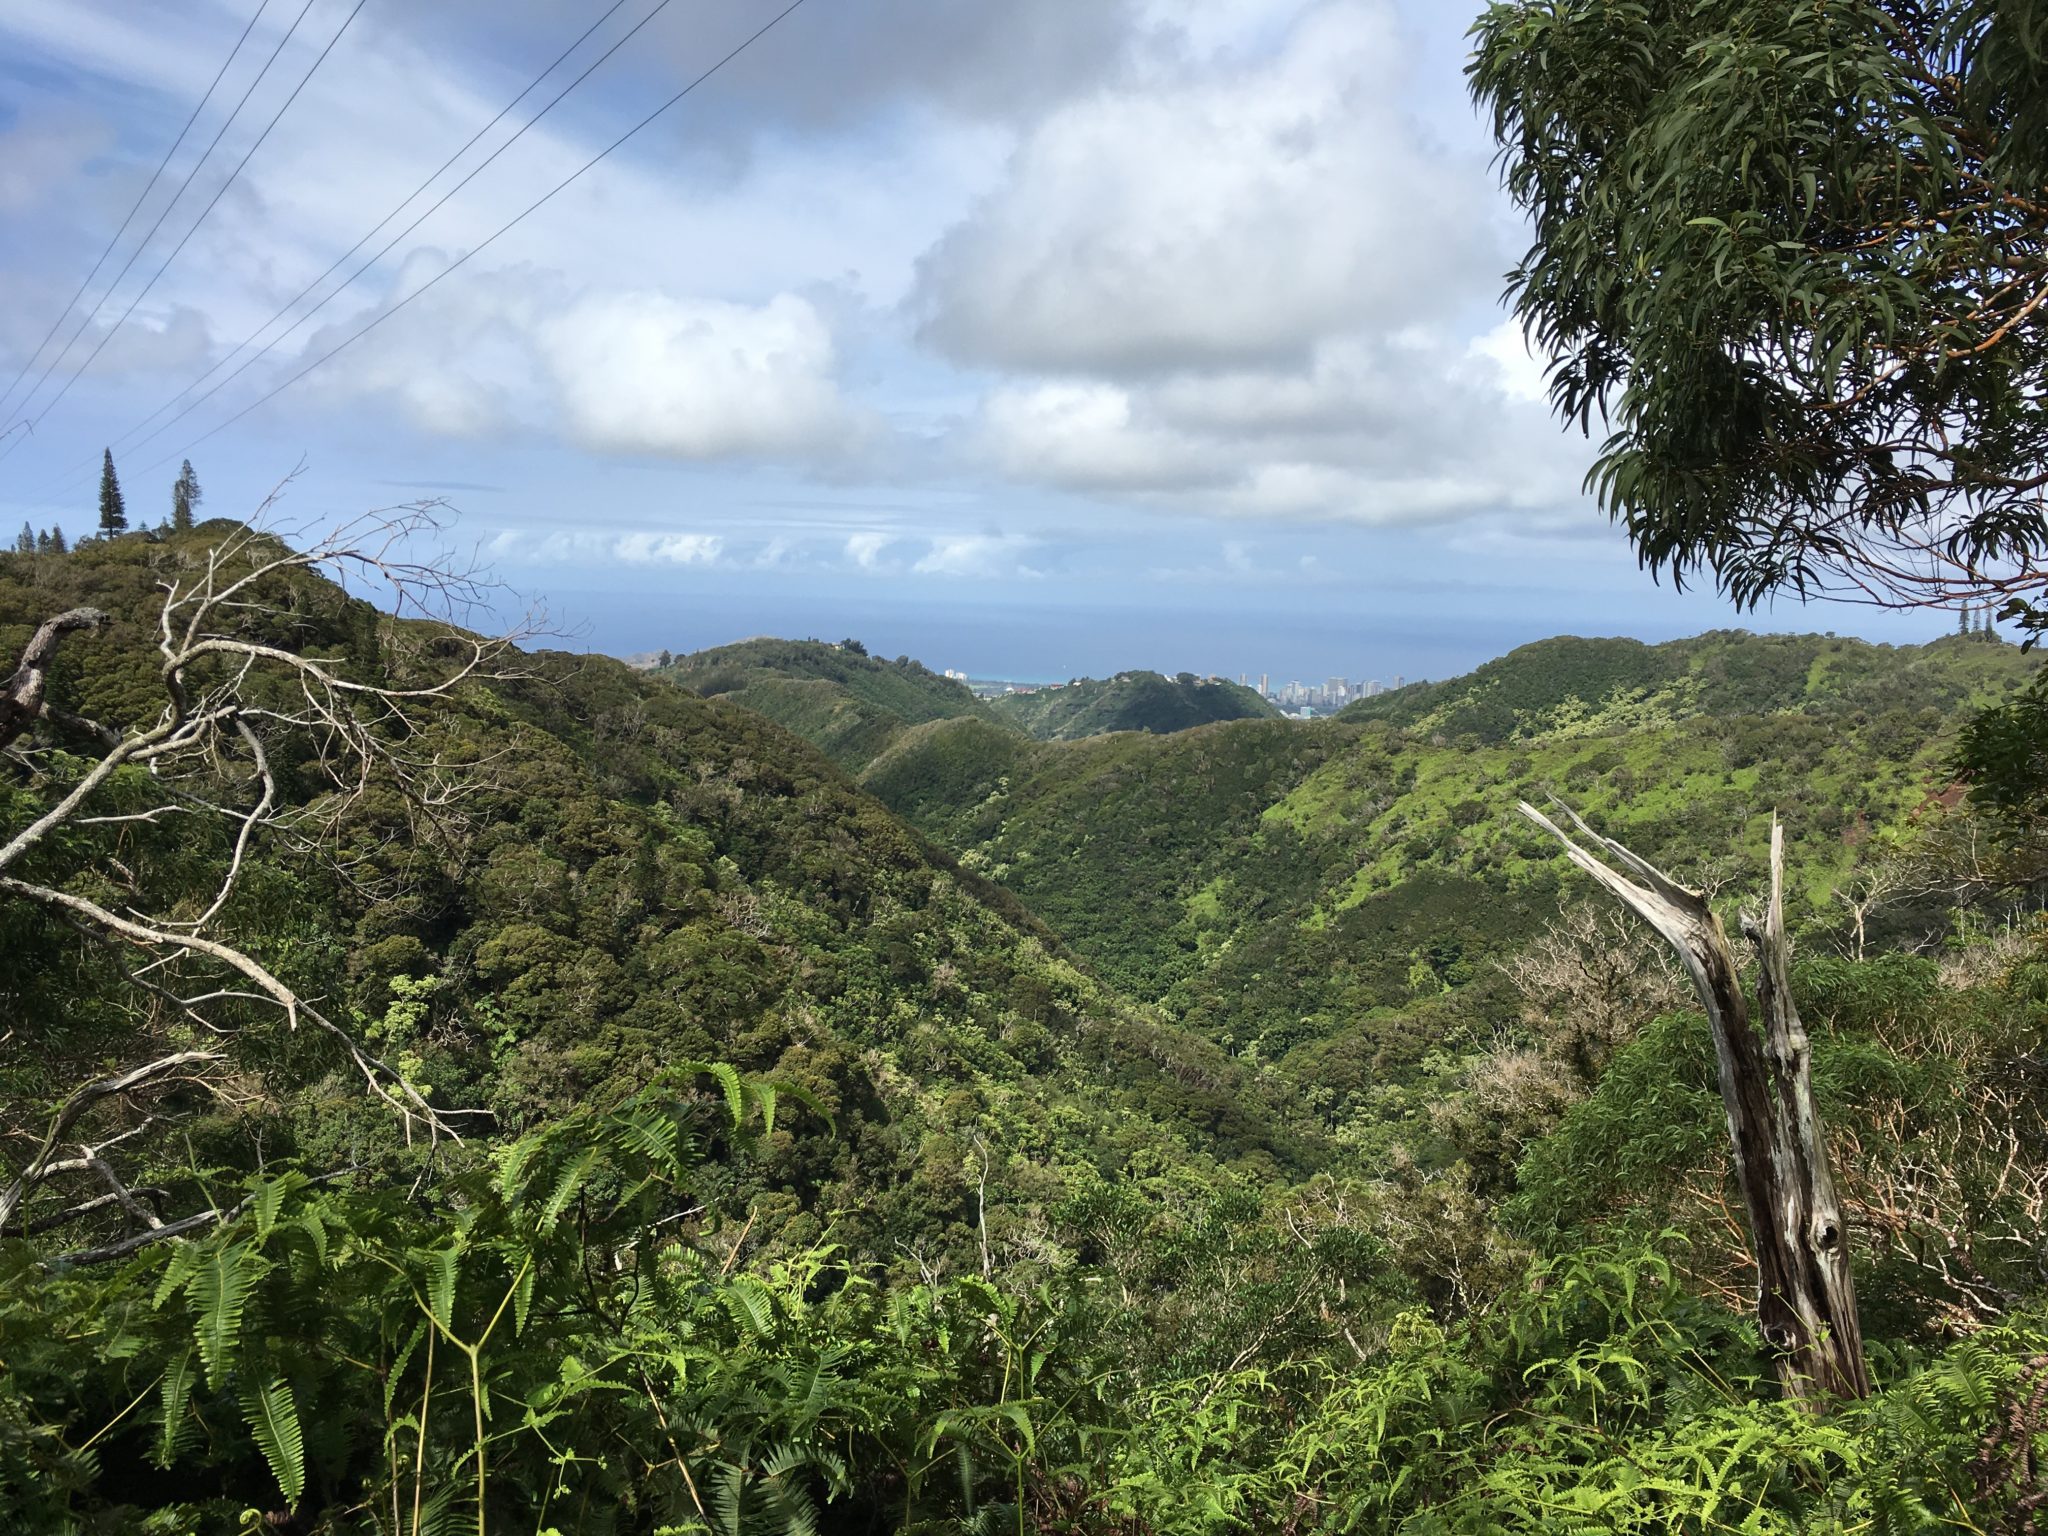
[1035, 339]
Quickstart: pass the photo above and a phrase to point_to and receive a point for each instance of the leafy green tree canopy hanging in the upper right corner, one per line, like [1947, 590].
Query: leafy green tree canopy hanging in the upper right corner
[1793, 257]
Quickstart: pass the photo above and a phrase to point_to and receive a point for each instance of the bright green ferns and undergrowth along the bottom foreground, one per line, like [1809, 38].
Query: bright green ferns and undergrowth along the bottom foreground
[540, 1345]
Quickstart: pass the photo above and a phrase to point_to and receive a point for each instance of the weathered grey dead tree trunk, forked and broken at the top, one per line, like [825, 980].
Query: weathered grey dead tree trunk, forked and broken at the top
[1805, 1293]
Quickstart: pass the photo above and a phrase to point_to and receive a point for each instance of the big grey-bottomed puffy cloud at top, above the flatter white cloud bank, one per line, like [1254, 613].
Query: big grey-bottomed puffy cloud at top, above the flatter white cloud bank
[1228, 216]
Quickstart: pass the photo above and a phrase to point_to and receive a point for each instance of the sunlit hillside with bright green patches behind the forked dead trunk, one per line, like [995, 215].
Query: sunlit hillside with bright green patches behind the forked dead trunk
[1336, 896]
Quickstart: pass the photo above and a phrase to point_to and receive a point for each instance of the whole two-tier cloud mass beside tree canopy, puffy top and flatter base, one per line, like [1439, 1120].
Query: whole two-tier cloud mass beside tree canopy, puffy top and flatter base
[1248, 286]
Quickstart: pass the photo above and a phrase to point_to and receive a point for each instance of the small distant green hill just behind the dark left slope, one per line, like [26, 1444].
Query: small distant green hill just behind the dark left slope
[853, 708]
